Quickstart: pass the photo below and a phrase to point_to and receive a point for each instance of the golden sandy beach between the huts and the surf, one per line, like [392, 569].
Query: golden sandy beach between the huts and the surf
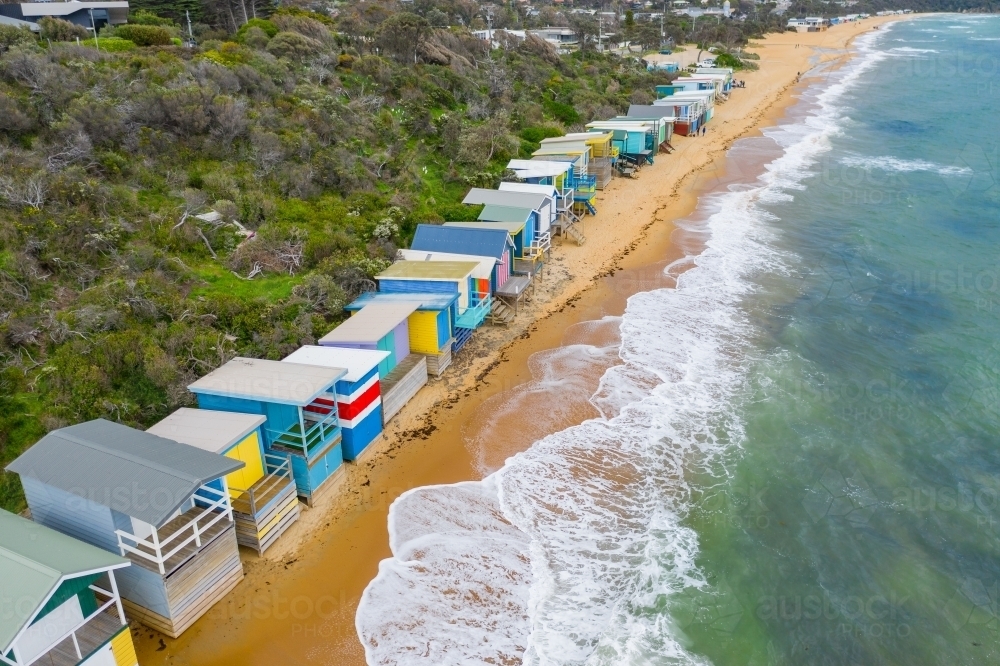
[297, 603]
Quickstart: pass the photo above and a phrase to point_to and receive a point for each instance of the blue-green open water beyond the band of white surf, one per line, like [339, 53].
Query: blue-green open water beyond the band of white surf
[859, 523]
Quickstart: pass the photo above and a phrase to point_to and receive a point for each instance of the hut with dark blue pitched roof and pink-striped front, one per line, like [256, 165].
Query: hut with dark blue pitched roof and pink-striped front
[494, 243]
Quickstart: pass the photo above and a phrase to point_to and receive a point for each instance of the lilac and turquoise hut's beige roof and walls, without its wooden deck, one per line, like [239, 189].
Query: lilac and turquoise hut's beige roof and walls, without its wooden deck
[382, 326]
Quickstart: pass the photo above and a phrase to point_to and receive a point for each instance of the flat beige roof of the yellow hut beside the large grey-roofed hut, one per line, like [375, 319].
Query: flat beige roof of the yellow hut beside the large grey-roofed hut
[207, 429]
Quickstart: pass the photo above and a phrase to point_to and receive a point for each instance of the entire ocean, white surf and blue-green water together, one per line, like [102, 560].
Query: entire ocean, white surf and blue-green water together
[797, 458]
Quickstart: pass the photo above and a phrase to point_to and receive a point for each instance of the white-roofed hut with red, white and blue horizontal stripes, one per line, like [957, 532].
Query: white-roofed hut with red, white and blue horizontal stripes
[359, 393]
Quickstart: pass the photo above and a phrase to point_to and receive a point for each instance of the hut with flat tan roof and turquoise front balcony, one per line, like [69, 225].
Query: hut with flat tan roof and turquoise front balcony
[454, 277]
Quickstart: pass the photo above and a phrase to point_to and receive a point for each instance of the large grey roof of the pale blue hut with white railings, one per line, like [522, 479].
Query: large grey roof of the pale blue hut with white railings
[128, 470]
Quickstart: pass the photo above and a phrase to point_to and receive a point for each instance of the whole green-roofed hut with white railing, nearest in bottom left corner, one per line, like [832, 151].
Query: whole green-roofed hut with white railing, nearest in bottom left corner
[60, 599]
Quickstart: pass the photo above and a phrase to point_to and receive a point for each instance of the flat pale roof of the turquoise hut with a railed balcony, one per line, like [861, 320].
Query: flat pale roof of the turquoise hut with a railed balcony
[267, 381]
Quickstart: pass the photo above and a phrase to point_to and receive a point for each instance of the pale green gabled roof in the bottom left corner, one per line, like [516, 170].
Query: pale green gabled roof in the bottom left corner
[34, 561]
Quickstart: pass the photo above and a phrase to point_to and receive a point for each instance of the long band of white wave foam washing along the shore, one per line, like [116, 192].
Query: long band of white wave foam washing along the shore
[553, 558]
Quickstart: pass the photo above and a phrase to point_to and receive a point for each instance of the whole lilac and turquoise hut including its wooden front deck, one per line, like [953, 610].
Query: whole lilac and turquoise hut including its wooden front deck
[385, 327]
